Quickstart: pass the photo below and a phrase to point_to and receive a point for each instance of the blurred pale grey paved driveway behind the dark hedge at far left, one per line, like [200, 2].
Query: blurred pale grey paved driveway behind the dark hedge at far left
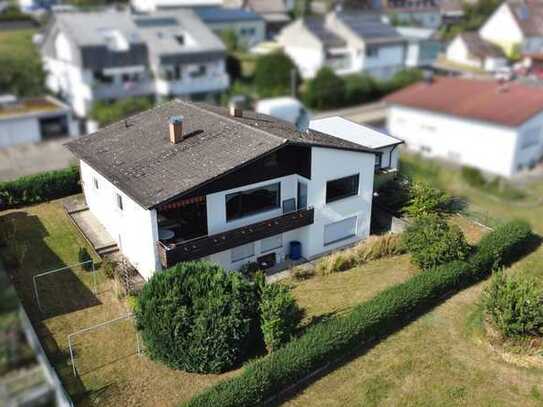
[28, 159]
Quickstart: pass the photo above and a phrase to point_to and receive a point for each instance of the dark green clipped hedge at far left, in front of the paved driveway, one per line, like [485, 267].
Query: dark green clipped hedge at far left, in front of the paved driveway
[40, 187]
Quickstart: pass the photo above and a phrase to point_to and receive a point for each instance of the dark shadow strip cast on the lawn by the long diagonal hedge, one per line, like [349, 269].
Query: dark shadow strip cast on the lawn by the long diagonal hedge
[364, 347]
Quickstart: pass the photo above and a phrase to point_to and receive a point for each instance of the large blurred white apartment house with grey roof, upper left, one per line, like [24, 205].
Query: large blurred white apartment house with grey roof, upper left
[119, 55]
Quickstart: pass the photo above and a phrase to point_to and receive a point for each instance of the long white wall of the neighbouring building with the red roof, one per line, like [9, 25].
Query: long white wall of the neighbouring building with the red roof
[478, 144]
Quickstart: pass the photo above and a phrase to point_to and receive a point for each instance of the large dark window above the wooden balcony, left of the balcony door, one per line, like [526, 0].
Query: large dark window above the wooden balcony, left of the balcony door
[253, 201]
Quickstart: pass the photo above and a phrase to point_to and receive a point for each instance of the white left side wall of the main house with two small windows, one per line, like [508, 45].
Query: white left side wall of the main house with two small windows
[134, 228]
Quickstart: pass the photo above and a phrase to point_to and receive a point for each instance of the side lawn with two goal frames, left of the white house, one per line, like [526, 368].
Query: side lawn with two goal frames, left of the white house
[111, 373]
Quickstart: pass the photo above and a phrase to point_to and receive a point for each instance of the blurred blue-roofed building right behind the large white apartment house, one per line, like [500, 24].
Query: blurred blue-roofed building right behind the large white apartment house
[249, 27]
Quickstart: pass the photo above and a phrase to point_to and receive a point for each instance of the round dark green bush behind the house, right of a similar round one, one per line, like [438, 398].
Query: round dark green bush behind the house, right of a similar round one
[325, 91]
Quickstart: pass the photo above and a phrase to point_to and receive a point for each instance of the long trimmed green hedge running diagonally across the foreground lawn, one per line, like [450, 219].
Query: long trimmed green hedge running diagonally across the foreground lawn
[337, 337]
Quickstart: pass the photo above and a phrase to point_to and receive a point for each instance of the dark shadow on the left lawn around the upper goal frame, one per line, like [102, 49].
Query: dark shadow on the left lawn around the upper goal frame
[27, 254]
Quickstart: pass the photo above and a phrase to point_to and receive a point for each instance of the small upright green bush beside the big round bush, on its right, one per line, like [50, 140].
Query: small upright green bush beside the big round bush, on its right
[279, 315]
